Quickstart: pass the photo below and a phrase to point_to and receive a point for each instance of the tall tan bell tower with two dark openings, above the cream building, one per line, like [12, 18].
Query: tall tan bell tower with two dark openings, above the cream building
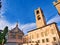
[40, 20]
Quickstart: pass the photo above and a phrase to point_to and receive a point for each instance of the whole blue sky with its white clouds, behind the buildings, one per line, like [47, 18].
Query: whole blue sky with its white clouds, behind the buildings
[23, 12]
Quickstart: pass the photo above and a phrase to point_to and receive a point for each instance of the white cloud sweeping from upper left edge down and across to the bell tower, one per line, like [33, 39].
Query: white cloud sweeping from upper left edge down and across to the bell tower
[4, 22]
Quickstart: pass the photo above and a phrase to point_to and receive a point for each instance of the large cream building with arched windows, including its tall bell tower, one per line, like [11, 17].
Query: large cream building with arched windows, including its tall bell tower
[44, 34]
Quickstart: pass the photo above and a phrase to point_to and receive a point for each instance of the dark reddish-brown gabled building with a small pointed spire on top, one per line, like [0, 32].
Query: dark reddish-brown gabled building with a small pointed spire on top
[15, 36]
